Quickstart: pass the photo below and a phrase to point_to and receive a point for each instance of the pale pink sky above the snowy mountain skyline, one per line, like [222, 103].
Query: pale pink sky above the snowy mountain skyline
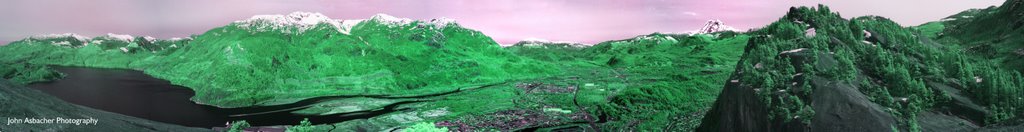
[505, 21]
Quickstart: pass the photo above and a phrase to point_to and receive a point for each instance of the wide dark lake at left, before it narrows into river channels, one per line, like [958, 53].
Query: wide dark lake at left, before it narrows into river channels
[133, 94]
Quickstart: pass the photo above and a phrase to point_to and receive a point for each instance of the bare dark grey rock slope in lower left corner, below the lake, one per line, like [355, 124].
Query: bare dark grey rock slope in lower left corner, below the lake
[22, 102]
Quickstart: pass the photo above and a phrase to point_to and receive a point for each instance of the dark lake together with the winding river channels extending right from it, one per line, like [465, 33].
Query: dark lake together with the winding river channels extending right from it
[135, 94]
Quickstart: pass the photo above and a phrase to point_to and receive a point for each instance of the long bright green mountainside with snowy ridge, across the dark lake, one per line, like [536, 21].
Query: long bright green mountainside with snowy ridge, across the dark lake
[241, 65]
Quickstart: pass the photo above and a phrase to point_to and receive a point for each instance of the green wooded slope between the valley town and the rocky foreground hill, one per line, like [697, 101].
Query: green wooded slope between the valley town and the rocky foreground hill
[659, 82]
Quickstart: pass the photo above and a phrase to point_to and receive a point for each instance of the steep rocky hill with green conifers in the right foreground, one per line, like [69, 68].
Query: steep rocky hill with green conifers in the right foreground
[816, 71]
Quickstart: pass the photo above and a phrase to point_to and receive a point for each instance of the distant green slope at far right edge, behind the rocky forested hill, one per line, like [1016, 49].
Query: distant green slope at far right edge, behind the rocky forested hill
[995, 34]
